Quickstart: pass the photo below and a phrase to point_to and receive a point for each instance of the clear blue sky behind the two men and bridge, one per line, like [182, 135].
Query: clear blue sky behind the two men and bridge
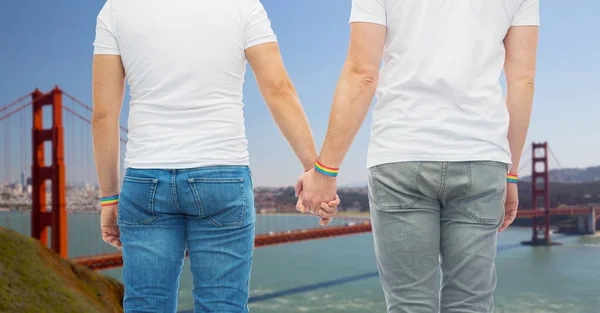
[48, 43]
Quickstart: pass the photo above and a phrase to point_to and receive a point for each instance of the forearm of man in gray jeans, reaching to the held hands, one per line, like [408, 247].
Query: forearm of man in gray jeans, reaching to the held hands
[351, 102]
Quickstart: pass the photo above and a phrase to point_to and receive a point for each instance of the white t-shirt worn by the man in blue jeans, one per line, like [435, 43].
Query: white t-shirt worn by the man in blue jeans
[185, 64]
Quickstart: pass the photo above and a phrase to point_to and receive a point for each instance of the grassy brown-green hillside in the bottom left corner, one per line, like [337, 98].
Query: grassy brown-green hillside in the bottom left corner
[33, 279]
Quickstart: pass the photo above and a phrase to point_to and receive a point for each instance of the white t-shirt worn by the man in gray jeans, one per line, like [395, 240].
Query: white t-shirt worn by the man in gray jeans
[439, 96]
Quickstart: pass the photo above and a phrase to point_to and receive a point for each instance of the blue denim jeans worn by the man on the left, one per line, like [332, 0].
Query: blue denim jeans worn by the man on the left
[210, 211]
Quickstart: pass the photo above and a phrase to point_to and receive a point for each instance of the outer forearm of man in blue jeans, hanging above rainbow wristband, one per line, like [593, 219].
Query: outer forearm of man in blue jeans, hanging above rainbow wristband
[106, 140]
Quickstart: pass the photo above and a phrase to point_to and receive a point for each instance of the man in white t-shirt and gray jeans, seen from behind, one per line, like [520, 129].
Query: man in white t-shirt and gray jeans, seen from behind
[443, 140]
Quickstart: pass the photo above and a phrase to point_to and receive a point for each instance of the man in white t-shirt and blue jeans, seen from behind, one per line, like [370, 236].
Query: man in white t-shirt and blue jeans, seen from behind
[187, 184]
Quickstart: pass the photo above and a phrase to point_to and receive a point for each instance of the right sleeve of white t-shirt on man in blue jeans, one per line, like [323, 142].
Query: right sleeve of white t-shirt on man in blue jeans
[258, 26]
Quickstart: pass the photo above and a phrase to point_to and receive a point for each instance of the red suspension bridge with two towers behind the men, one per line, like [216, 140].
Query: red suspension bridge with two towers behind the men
[34, 128]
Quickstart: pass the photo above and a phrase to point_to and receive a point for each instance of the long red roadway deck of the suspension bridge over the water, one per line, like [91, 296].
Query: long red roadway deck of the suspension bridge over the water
[358, 226]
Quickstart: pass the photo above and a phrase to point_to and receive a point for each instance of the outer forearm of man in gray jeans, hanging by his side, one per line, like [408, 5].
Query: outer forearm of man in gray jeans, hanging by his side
[519, 99]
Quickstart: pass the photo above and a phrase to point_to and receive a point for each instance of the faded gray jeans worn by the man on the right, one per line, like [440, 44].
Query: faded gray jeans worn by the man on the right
[432, 215]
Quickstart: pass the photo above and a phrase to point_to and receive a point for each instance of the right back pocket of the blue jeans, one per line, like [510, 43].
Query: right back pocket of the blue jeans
[222, 201]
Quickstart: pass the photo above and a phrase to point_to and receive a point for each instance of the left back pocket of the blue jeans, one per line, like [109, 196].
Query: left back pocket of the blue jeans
[136, 201]
